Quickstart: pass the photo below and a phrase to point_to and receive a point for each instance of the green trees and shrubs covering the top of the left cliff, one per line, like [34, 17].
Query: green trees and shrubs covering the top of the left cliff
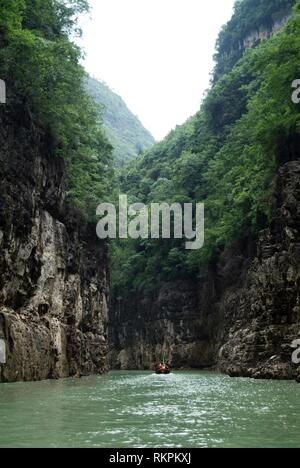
[40, 65]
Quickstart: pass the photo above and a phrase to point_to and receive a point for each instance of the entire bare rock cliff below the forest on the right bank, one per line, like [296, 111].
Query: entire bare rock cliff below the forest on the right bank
[241, 315]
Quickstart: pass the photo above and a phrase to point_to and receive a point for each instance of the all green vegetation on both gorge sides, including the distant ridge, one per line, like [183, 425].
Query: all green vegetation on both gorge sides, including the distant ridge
[226, 156]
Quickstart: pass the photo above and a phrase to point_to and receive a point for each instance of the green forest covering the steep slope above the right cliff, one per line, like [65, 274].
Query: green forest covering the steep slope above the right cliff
[226, 156]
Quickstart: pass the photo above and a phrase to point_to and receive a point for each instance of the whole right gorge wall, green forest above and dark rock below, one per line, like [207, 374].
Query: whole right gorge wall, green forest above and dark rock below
[238, 311]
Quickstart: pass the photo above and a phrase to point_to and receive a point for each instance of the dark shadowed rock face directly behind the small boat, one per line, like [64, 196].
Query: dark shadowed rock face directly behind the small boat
[148, 329]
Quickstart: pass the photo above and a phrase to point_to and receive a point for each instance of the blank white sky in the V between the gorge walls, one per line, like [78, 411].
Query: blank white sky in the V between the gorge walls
[157, 54]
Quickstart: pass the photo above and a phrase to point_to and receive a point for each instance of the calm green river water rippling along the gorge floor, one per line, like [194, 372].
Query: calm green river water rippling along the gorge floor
[140, 409]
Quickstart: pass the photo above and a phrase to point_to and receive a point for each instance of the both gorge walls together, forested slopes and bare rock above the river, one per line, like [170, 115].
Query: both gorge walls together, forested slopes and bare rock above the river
[72, 305]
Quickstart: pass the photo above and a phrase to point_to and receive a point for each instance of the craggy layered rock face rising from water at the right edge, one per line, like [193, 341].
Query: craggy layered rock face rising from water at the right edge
[262, 316]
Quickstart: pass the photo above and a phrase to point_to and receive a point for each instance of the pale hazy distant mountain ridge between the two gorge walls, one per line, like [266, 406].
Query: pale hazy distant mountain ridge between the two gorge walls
[124, 130]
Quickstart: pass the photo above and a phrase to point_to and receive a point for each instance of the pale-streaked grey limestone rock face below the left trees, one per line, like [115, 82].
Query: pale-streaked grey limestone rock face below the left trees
[53, 285]
